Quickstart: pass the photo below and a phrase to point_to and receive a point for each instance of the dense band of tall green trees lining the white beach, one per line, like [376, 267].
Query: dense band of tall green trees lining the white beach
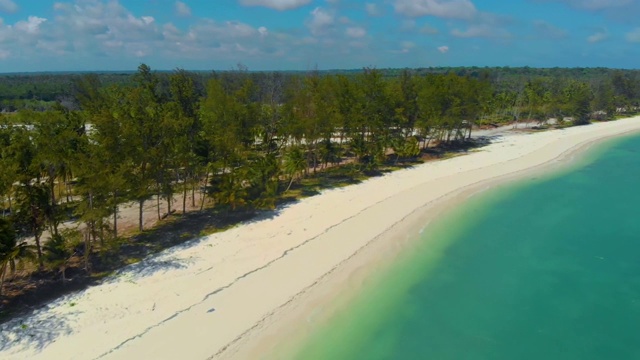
[244, 138]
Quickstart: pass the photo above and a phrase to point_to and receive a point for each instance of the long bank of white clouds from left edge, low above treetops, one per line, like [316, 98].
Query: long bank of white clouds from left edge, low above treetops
[104, 34]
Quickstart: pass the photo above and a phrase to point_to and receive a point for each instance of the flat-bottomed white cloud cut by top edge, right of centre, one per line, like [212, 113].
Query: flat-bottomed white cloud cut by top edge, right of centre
[448, 9]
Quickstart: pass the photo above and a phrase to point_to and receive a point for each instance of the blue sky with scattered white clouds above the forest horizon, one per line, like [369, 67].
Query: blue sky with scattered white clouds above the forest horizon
[64, 35]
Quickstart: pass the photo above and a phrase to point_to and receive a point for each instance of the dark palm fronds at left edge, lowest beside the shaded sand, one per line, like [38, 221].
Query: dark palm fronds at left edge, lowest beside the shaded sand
[11, 252]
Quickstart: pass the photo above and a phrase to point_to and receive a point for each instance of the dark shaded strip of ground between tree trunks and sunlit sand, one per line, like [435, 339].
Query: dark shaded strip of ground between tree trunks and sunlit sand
[26, 315]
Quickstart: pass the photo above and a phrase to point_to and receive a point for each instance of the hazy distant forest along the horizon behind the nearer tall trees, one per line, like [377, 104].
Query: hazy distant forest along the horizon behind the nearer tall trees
[39, 91]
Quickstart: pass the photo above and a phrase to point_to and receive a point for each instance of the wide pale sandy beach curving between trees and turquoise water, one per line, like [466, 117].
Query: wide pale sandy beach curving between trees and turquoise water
[234, 294]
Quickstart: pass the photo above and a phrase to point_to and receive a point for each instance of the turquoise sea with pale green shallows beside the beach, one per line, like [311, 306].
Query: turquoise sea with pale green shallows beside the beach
[544, 269]
